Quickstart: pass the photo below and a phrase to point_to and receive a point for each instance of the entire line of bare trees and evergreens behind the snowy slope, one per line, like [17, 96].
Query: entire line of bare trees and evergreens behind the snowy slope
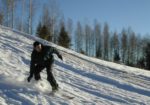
[125, 47]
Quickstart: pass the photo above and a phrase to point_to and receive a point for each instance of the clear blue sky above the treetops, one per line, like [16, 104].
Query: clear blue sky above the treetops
[117, 13]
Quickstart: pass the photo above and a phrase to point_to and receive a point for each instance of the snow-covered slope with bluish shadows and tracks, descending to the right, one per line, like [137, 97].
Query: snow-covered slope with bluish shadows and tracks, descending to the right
[90, 81]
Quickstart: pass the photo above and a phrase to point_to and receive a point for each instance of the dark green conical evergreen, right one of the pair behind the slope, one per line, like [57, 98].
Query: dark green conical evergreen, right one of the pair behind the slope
[63, 38]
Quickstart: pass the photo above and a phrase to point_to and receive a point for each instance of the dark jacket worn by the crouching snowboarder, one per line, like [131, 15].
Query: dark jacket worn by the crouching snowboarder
[43, 57]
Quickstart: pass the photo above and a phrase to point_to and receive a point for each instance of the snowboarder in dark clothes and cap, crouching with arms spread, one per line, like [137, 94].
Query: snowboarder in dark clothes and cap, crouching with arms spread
[42, 57]
